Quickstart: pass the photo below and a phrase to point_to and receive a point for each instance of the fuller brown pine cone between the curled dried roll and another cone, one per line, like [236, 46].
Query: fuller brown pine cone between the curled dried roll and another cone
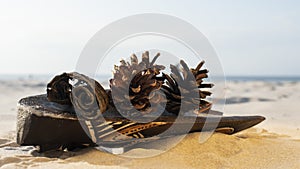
[135, 86]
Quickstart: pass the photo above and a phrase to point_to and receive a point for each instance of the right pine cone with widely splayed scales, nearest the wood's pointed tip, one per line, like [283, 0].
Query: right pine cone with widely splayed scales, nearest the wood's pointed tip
[185, 88]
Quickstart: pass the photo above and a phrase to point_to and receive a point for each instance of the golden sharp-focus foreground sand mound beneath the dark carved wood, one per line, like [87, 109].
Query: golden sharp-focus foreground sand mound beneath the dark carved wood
[250, 149]
